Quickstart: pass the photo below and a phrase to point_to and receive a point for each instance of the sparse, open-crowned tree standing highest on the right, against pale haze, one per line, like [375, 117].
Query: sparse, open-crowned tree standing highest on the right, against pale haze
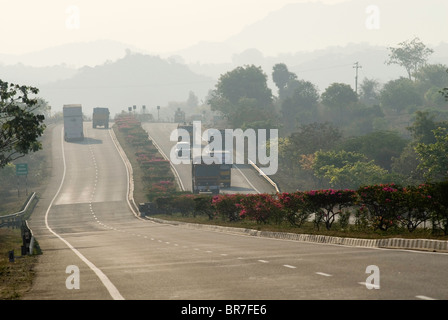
[411, 55]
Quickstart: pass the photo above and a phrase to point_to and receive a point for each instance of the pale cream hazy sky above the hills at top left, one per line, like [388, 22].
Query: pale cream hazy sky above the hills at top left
[155, 26]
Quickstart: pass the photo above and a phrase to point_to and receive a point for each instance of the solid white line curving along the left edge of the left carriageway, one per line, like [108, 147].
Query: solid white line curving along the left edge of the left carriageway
[113, 291]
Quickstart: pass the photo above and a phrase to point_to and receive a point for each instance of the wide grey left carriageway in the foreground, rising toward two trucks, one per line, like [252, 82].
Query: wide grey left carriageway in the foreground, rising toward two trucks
[90, 237]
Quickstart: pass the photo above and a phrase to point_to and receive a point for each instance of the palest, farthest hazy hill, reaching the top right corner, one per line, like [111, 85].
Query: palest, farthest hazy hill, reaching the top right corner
[313, 26]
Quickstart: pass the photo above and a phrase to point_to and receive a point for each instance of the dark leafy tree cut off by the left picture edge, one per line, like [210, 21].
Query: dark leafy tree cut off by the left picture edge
[20, 127]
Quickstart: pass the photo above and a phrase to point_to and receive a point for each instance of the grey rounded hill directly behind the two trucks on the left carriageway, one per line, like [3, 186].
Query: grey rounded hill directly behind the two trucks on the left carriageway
[135, 79]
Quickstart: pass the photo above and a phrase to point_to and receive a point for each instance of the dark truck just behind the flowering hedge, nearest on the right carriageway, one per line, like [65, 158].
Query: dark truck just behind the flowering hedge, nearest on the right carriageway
[205, 177]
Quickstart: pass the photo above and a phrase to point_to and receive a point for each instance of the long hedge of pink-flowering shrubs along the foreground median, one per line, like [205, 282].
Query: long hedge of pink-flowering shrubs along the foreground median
[376, 207]
